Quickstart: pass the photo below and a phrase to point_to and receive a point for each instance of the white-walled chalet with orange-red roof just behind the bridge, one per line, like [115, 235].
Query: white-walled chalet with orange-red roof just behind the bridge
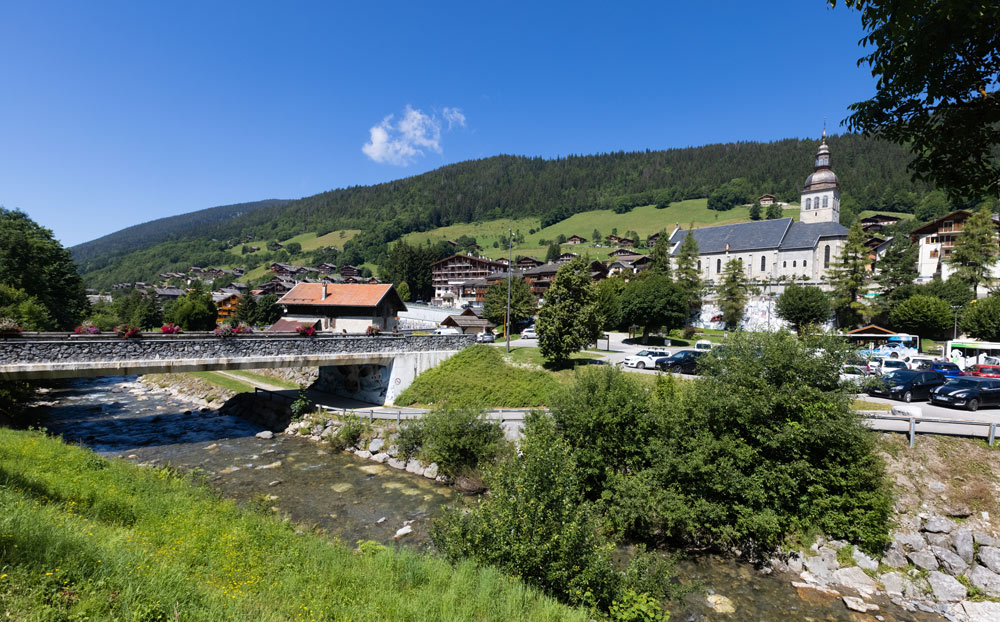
[344, 308]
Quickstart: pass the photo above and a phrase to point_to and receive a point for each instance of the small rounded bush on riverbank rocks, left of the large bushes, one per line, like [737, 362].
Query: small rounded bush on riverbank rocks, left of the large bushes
[459, 440]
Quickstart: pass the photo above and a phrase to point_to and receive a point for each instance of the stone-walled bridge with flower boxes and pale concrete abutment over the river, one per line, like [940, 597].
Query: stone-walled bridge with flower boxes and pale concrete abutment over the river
[371, 369]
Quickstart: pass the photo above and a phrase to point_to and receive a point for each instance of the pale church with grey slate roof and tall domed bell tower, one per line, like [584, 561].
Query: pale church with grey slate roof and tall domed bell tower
[771, 249]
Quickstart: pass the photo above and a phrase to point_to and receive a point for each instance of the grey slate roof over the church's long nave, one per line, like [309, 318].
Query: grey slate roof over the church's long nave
[782, 233]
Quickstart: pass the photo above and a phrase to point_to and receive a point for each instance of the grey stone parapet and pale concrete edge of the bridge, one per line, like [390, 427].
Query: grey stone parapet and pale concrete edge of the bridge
[54, 356]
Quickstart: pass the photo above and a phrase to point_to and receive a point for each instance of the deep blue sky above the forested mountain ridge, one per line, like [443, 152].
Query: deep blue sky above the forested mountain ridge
[115, 113]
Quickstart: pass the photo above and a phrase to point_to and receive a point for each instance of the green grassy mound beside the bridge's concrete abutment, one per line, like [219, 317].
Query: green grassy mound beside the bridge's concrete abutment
[479, 377]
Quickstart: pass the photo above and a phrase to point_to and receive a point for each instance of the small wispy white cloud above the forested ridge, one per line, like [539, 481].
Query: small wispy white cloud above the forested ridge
[402, 142]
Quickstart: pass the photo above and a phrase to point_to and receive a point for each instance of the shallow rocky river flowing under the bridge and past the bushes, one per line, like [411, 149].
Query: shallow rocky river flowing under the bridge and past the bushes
[353, 499]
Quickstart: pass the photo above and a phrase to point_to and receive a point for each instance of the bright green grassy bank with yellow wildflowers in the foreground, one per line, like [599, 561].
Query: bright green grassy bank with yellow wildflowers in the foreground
[84, 538]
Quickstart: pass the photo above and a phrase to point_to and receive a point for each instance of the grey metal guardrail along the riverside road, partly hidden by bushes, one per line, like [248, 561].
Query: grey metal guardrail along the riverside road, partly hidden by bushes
[508, 415]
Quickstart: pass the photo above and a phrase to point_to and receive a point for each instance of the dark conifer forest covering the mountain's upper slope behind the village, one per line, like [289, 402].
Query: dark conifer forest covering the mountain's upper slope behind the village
[873, 176]
